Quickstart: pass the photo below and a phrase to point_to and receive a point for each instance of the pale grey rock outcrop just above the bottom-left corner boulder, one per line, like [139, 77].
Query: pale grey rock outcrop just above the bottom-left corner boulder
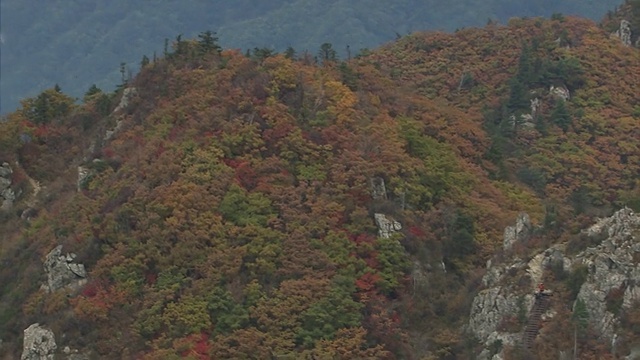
[62, 271]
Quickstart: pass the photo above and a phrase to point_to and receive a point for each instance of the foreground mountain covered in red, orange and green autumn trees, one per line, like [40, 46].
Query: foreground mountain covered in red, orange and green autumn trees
[219, 205]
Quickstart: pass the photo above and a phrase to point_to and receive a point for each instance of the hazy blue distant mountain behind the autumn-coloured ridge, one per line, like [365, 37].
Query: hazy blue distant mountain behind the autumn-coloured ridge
[73, 43]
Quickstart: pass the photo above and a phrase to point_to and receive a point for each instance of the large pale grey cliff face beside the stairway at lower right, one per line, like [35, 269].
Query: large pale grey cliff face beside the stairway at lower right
[607, 287]
